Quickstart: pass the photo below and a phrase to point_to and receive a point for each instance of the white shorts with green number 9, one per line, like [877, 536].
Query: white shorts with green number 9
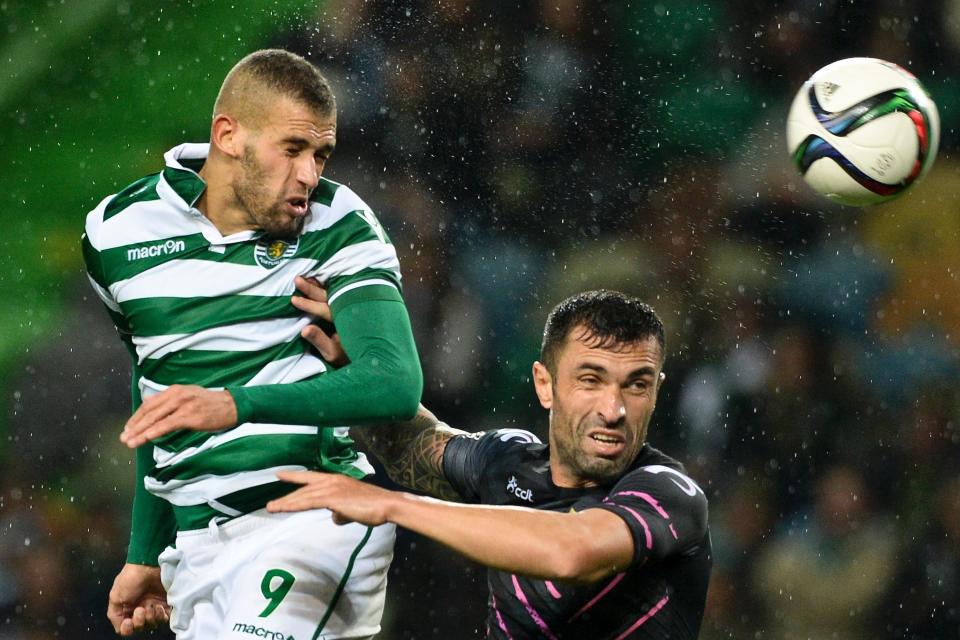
[280, 576]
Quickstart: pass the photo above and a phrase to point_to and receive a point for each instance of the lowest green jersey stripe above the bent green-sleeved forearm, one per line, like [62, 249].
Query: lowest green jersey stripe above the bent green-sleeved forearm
[217, 368]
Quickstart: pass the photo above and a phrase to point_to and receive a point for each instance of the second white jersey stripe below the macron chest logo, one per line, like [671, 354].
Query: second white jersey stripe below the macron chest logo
[246, 336]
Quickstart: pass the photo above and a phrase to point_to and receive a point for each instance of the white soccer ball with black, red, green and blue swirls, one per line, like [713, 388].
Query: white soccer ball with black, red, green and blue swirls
[862, 130]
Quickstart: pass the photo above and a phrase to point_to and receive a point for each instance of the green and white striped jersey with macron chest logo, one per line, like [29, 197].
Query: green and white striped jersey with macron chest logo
[195, 307]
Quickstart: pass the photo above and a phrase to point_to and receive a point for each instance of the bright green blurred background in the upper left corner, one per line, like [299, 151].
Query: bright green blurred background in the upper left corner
[91, 95]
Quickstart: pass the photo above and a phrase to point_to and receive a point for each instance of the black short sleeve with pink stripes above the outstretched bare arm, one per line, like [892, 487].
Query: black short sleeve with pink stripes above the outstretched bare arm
[665, 510]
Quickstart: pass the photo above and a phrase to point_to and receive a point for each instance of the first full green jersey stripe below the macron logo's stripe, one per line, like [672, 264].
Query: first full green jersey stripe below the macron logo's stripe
[165, 316]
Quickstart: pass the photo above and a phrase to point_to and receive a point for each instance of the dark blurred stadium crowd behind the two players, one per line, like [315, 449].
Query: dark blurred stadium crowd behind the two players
[517, 156]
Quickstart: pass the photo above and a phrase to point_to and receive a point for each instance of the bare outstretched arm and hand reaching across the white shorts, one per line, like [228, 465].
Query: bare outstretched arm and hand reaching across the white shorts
[580, 547]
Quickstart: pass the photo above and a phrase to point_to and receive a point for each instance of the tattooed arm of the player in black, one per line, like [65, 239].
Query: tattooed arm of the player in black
[411, 452]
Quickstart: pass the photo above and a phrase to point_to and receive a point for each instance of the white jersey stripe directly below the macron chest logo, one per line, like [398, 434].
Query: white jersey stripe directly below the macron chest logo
[208, 279]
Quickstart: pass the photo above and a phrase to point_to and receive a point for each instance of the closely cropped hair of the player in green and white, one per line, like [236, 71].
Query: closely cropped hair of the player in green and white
[254, 84]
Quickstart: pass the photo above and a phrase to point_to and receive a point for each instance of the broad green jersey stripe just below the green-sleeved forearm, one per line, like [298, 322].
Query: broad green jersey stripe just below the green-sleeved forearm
[246, 454]
